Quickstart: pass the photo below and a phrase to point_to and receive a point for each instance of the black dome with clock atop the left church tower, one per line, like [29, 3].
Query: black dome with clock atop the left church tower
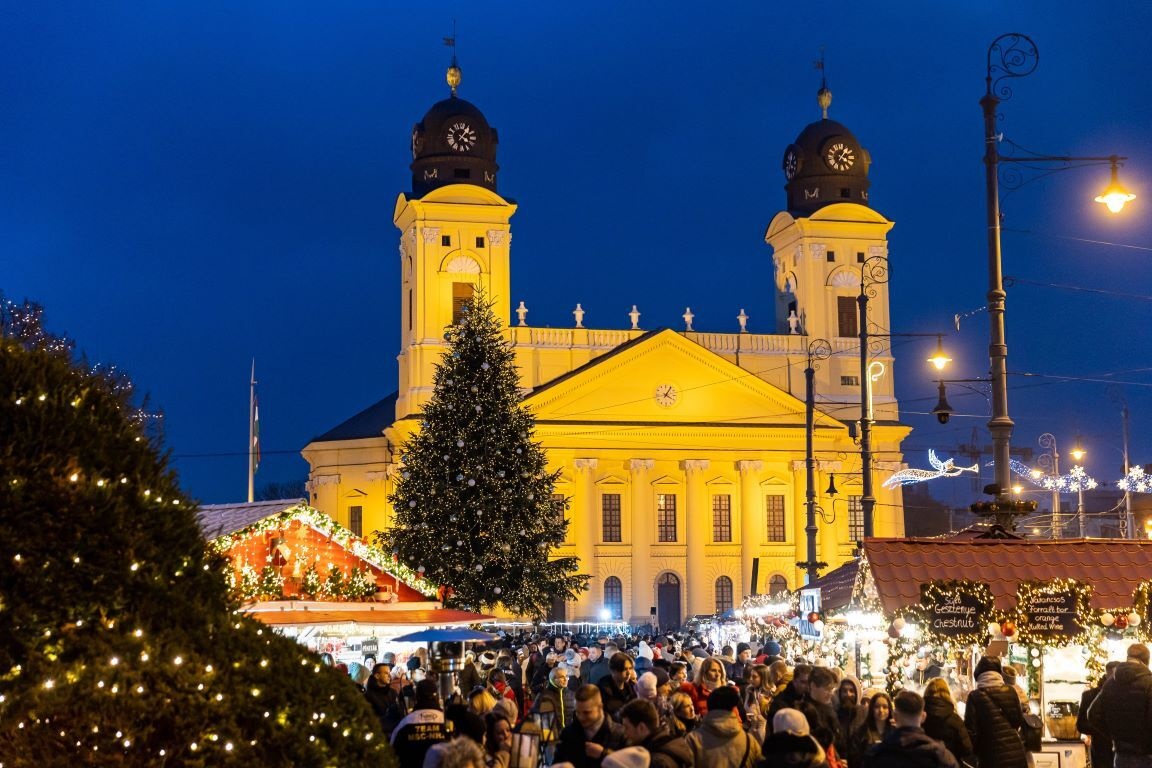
[453, 145]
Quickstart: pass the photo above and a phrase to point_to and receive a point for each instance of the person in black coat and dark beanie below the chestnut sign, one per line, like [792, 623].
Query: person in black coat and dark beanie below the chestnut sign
[994, 718]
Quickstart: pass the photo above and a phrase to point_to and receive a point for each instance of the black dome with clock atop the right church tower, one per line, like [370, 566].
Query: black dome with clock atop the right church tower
[825, 165]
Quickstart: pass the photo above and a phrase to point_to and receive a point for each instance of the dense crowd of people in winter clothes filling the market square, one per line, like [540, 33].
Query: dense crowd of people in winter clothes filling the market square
[589, 703]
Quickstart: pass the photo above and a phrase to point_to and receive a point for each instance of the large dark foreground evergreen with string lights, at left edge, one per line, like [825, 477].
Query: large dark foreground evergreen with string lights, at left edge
[119, 642]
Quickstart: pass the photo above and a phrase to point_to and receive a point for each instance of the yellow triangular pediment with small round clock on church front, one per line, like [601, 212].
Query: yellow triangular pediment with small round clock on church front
[664, 378]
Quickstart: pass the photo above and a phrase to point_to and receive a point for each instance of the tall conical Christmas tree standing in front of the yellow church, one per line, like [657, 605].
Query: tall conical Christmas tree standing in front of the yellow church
[475, 510]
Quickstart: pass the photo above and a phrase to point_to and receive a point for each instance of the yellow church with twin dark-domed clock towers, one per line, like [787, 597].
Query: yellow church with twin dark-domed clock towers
[683, 452]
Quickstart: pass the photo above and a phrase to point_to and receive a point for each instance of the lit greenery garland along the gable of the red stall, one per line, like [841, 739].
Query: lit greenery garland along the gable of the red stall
[323, 524]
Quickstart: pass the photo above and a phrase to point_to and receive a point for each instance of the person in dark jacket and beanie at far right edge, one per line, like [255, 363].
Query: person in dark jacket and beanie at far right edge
[1124, 710]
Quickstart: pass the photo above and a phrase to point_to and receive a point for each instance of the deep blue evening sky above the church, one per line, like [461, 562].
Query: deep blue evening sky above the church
[188, 186]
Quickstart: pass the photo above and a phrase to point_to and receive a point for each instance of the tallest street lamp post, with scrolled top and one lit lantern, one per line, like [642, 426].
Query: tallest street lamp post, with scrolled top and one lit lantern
[1014, 56]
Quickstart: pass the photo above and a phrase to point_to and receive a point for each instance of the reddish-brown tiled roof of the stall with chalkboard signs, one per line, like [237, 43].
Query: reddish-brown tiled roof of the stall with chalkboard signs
[1115, 568]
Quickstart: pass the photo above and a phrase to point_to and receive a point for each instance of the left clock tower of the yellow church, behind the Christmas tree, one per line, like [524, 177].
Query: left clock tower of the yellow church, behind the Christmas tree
[456, 237]
